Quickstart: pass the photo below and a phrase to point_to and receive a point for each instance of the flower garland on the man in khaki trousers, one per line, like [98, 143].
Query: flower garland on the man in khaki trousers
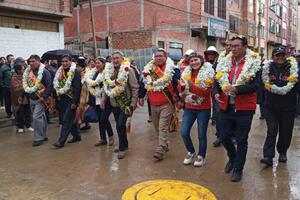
[161, 83]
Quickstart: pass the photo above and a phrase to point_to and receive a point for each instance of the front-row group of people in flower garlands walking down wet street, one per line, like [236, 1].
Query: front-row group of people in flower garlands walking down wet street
[226, 83]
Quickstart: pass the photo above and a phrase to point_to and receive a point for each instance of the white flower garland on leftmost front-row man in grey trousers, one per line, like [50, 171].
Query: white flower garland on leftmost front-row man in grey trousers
[37, 84]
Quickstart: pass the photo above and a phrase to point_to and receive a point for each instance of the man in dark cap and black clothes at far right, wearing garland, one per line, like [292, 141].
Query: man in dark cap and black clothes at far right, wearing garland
[280, 78]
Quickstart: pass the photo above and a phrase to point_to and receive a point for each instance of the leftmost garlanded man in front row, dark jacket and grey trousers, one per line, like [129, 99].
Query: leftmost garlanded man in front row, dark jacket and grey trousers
[37, 82]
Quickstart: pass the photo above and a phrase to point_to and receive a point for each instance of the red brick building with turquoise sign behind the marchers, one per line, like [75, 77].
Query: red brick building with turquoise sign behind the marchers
[134, 24]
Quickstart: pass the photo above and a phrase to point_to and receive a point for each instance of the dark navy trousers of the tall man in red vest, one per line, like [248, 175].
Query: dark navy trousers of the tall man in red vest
[238, 125]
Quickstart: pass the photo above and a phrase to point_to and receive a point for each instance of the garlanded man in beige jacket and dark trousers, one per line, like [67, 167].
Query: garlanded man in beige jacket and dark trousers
[121, 86]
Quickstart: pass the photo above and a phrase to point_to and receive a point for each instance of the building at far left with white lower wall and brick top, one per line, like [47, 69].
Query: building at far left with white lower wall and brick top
[32, 26]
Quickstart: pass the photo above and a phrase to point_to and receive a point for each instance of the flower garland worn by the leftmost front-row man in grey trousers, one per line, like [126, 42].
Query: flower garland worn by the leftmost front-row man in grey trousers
[29, 84]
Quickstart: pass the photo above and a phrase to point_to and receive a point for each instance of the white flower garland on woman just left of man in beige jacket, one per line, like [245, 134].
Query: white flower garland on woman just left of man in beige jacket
[93, 85]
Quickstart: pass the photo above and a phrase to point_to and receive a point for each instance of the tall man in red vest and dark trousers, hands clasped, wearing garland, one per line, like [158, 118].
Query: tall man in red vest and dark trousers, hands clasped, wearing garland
[236, 93]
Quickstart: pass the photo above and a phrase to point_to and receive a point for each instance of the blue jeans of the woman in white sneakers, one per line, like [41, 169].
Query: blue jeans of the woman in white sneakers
[189, 117]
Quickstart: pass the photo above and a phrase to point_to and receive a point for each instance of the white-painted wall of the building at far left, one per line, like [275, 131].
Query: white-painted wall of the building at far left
[20, 42]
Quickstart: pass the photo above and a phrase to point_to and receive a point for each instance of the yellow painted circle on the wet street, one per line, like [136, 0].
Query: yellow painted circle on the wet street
[167, 190]
